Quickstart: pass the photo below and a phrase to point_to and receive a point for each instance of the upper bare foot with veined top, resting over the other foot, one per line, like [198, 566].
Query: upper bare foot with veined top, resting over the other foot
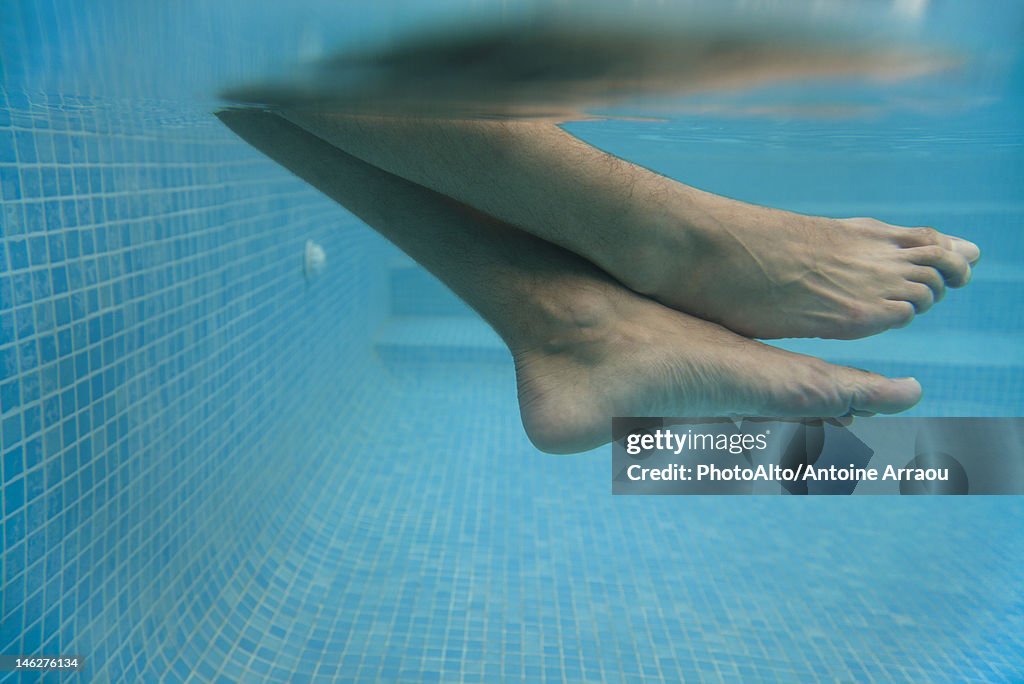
[771, 274]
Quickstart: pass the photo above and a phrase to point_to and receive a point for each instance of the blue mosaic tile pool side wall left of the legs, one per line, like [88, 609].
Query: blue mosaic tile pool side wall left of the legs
[157, 337]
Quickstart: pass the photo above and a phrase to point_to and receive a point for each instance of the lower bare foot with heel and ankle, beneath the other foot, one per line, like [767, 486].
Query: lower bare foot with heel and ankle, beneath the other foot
[601, 351]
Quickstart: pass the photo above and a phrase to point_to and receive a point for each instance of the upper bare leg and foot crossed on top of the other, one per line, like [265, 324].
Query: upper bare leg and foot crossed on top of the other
[759, 272]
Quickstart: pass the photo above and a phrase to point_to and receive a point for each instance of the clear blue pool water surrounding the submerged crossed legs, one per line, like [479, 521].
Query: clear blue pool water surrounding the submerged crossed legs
[216, 472]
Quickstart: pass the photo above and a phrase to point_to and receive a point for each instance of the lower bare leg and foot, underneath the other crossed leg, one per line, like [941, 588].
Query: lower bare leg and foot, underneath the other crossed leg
[585, 348]
